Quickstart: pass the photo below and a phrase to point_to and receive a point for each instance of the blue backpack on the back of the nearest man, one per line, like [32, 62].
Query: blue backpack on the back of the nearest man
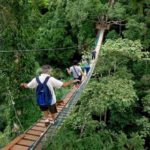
[43, 93]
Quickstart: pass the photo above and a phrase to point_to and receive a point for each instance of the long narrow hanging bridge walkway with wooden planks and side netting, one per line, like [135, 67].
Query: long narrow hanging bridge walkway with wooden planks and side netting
[39, 136]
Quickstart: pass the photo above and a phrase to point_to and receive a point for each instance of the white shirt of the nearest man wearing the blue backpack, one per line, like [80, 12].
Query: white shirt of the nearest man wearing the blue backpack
[52, 83]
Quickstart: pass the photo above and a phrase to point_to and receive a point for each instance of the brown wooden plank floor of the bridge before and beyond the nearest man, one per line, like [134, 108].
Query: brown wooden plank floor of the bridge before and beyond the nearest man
[26, 140]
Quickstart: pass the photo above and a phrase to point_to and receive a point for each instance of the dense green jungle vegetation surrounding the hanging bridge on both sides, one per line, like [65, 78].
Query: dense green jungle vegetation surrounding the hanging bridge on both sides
[36, 32]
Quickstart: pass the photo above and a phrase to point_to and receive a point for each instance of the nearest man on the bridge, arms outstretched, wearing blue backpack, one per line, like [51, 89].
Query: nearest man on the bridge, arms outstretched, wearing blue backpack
[46, 98]
